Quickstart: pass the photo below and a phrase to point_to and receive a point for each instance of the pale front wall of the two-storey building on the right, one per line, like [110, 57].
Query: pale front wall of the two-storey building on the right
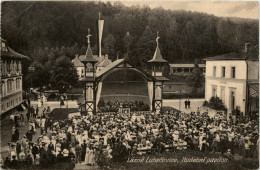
[224, 86]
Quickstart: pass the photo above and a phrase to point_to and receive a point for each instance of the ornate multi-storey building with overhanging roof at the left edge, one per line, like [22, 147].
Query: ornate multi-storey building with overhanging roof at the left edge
[11, 78]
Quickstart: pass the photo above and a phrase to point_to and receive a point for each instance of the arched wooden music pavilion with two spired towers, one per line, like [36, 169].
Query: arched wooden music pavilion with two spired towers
[121, 81]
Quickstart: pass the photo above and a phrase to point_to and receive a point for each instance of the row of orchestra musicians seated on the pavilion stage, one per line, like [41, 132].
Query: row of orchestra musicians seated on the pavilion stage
[114, 106]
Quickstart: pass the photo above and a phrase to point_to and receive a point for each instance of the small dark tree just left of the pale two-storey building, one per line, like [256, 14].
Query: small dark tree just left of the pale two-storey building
[195, 78]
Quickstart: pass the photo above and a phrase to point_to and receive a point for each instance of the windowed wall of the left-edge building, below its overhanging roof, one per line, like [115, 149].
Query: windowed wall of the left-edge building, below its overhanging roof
[11, 84]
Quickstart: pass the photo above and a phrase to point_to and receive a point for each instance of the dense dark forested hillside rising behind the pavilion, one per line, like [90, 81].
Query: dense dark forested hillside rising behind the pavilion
[185, 36]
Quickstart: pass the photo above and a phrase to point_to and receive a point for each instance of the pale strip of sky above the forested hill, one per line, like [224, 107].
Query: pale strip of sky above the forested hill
[241, 9]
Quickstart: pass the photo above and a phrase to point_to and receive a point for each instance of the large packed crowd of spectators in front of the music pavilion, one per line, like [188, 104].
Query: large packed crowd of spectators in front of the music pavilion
[100, 138]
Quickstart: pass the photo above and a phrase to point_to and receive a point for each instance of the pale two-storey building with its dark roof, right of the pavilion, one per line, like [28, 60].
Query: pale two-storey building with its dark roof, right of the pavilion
[234, 79]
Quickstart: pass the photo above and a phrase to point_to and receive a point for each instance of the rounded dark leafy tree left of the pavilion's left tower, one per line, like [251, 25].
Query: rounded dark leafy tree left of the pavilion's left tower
[63, 73]
